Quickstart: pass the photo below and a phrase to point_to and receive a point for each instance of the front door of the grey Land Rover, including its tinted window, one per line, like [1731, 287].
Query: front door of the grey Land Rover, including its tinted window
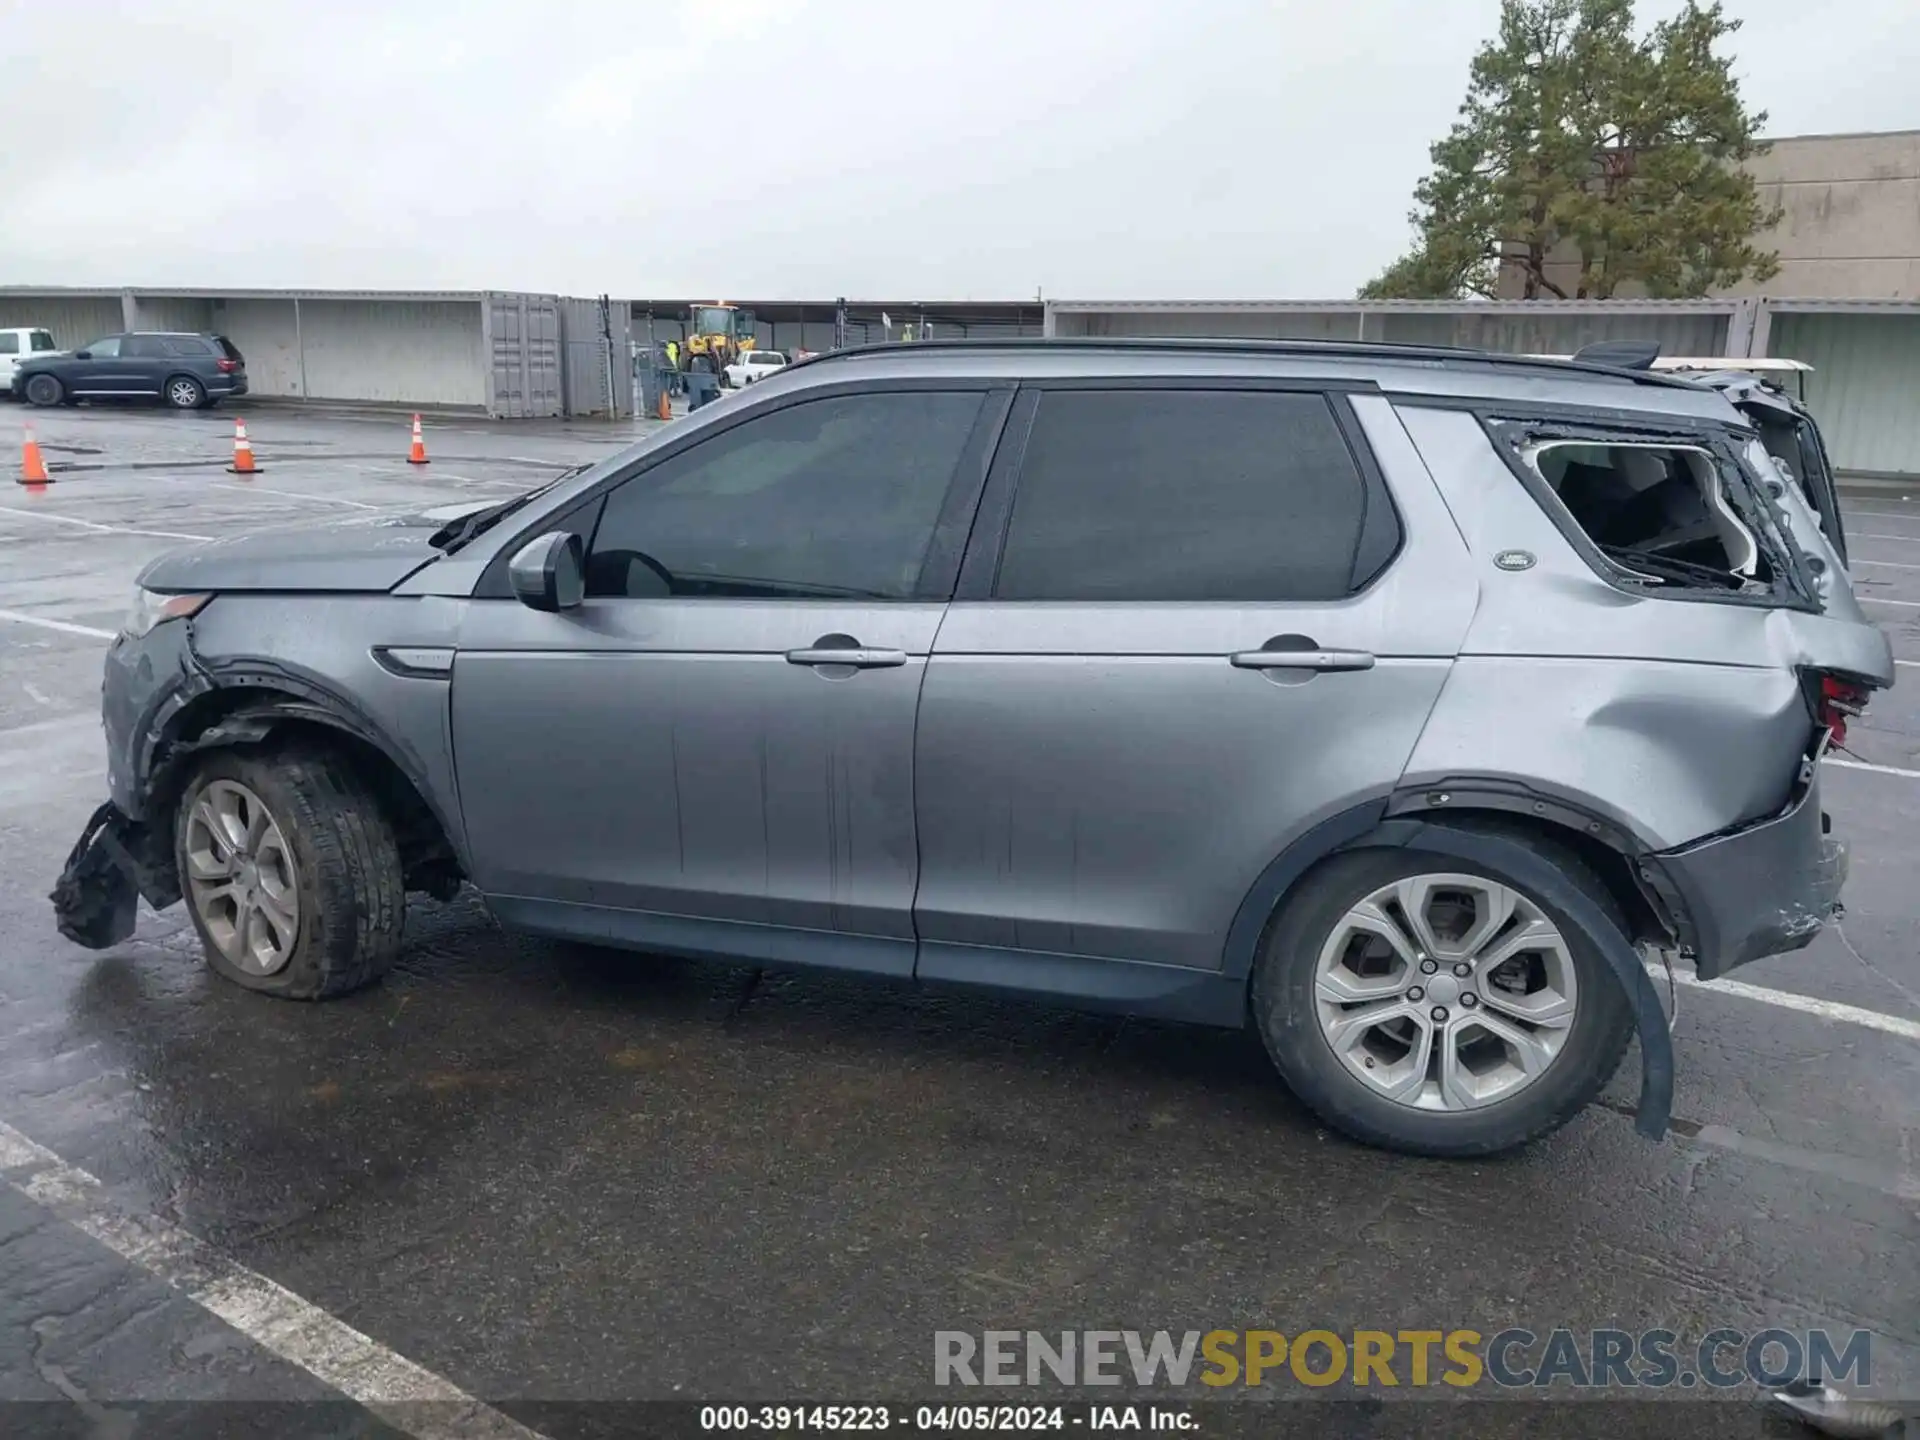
[715, 752]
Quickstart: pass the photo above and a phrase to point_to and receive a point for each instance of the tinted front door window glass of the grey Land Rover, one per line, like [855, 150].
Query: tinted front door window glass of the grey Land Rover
[830, 498]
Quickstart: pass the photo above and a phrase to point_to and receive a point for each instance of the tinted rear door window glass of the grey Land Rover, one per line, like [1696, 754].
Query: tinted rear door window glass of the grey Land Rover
[1189, 496]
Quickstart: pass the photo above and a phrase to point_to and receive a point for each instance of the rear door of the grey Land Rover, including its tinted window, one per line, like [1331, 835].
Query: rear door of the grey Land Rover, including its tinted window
[1191, 625]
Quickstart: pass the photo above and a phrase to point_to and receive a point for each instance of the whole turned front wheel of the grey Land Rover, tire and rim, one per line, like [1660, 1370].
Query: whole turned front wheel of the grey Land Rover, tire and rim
[291, 873]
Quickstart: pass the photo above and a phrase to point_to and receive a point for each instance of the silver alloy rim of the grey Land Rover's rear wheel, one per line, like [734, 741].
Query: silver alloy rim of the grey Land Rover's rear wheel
[1447, 992]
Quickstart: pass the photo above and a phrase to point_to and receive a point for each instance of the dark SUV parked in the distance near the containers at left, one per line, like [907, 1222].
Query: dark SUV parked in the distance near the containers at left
[181, 370]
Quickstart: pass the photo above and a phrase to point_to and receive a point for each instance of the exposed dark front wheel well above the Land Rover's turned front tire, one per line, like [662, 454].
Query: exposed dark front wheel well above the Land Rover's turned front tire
[256, 717]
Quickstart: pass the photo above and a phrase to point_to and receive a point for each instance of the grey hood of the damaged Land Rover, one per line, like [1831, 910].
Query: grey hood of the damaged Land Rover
[368, 554]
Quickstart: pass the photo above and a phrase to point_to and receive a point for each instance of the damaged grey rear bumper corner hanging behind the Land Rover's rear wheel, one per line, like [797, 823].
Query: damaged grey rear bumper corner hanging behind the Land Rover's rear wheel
[1760, 890]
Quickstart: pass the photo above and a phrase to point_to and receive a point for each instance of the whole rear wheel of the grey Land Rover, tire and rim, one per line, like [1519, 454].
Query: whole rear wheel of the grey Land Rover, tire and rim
[1437, 1009]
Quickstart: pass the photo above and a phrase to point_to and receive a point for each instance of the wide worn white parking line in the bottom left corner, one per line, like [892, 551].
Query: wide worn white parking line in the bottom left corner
[393, 1387]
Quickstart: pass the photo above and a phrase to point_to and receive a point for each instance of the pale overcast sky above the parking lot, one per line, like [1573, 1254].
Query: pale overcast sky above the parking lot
[784, 149]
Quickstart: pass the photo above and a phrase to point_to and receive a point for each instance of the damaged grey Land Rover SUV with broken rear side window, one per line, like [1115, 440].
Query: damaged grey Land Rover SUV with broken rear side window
[1397, 704]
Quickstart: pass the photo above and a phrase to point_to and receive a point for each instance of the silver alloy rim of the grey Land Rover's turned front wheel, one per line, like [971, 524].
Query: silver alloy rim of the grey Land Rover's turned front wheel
[241, 878]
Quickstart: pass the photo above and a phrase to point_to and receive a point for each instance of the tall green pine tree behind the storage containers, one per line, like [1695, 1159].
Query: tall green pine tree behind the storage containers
[1589, 158]
